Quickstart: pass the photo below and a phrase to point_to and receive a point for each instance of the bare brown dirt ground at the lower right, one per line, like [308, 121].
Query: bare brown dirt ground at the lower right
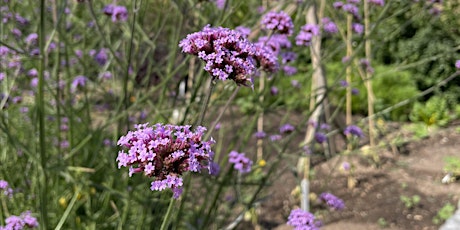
[415, 168]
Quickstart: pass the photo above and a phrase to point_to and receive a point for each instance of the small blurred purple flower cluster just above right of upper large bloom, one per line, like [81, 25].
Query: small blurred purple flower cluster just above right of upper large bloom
[278, 22]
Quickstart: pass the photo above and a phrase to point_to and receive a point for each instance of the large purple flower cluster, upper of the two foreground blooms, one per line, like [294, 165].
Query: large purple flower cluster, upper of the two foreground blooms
[228, 54]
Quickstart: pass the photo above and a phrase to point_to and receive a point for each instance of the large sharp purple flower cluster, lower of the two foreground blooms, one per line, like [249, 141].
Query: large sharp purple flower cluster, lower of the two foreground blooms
[165, 152]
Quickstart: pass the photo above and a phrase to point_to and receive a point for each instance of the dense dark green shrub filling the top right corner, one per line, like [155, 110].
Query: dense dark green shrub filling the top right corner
[429, 52]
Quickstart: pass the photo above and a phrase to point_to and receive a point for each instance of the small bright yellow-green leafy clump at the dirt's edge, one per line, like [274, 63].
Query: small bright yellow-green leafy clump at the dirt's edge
[433, 112]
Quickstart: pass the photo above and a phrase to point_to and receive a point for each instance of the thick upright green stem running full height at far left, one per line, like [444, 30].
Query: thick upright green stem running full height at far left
[43, 188]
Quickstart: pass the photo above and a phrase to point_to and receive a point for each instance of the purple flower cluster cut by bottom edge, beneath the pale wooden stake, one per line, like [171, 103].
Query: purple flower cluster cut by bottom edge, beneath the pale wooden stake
[303, 220]
